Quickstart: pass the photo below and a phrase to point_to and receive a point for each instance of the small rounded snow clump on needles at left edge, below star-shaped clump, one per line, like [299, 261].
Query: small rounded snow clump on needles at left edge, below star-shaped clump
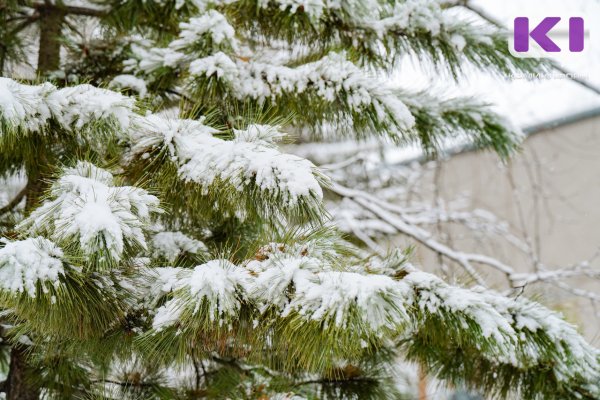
[26, 263]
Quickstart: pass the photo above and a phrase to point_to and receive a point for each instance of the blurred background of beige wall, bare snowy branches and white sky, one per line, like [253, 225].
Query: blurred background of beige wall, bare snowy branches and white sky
[537, 213]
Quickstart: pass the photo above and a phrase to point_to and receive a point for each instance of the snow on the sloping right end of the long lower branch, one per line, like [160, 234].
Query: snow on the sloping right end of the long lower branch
[511, 322]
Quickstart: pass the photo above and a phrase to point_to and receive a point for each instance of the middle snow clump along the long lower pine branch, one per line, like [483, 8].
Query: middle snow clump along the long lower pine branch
[322, 294]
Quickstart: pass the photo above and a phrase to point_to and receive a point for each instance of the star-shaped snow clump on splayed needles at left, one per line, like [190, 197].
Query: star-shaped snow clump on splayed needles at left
[84, 205]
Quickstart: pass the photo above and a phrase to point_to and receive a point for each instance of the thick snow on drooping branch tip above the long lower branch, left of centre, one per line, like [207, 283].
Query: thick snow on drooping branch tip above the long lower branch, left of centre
[203, 158]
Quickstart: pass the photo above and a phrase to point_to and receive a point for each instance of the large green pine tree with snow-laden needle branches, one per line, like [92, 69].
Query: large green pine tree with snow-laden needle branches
[165, 246]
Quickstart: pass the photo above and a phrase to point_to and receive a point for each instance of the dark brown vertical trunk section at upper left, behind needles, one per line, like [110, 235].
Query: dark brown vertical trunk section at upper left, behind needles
[51, 21]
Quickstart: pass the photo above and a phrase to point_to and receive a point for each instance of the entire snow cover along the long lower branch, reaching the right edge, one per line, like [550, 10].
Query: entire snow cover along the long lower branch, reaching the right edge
[374, 305]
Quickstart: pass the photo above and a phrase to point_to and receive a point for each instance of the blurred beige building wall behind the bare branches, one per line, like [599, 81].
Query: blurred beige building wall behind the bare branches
[554, 202]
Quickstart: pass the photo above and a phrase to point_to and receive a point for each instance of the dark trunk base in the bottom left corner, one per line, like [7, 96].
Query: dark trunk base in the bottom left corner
[19, 381]
